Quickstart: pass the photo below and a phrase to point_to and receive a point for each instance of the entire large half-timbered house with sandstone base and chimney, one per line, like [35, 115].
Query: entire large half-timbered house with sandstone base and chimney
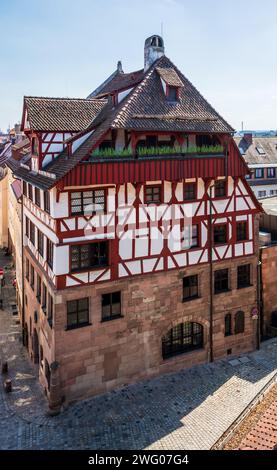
[119, 286]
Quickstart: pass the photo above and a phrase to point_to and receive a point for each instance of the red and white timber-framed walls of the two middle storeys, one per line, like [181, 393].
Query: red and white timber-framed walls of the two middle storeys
[136, 232]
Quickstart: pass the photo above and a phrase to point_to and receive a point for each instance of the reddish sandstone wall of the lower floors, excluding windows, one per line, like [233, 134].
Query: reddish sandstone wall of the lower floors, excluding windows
[105, 355]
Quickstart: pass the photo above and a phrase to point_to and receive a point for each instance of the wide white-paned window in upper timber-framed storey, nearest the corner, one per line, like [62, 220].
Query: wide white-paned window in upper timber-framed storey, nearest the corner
[88, 202]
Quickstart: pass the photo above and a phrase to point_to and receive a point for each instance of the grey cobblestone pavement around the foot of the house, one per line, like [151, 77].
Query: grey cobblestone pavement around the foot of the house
[185, 410]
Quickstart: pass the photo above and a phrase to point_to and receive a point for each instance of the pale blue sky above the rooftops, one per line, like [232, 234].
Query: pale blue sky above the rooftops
[66, 48]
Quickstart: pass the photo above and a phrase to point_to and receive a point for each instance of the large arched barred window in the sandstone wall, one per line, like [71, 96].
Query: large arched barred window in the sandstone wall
[182, 338]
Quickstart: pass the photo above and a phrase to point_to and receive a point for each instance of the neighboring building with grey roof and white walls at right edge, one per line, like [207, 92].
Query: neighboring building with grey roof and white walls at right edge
[260, 153]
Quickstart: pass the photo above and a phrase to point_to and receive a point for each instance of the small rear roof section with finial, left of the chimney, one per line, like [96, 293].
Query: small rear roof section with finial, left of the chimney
[120, 81]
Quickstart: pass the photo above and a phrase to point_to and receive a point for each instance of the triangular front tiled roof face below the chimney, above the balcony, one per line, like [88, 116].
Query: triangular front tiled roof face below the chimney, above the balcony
[147, 107]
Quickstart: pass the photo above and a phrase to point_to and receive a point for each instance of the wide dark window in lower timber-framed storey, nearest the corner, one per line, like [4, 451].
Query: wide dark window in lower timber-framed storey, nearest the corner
[89, 255]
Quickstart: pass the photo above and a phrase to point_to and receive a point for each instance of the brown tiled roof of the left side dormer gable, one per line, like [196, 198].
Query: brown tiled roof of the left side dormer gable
[61, 114]
